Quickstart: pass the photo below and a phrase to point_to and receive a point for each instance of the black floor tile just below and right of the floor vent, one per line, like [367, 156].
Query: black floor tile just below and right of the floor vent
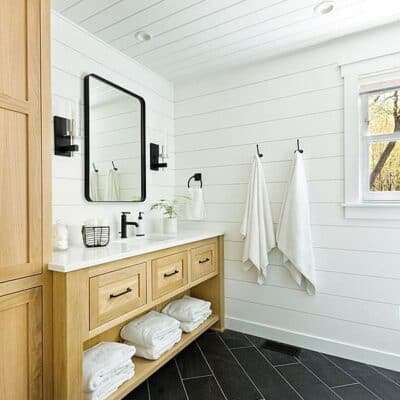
[325, 370]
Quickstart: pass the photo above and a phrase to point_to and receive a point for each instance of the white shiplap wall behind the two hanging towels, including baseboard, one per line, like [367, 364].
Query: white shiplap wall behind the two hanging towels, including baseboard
[219, 120]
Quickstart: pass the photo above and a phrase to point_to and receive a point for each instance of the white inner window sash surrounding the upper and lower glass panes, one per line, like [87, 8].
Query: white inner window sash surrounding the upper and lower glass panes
[367, 139]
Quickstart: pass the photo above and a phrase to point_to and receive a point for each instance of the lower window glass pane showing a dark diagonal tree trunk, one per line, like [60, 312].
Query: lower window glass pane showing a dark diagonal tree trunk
[384, 166]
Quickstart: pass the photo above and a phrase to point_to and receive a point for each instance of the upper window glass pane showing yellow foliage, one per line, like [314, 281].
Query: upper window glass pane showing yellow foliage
[384, 112]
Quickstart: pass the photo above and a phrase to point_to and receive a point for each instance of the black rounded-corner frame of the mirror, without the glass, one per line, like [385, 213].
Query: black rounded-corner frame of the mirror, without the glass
[87, 138]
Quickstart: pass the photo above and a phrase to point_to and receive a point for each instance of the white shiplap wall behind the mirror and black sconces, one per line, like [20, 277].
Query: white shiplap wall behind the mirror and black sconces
[76, 53]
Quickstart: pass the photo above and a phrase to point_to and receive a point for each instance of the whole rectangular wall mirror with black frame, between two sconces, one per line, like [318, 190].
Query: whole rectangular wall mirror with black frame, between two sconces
[115, 148]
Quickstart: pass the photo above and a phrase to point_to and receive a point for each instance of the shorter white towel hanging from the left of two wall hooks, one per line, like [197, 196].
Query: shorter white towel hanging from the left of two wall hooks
[257, 226]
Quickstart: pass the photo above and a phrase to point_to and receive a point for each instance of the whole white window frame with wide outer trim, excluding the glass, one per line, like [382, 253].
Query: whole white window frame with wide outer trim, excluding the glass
[374, 72]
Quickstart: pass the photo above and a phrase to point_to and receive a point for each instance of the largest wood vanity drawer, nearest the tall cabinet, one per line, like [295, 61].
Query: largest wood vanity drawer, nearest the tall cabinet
[116, 293]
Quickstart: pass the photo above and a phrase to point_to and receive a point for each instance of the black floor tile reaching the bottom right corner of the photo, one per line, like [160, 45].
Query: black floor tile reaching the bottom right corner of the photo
[377, 383]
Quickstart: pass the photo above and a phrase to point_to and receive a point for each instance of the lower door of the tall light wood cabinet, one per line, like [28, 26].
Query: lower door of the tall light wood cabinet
[21, 345]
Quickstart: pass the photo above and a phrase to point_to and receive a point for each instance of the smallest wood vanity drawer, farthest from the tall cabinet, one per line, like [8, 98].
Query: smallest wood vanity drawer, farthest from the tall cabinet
[203, 260]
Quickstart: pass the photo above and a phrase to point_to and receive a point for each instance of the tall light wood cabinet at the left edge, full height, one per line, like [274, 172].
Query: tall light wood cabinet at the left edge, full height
[25, 284]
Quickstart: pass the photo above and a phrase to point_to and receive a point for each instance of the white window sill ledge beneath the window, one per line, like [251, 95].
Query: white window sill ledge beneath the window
[386, 211]
